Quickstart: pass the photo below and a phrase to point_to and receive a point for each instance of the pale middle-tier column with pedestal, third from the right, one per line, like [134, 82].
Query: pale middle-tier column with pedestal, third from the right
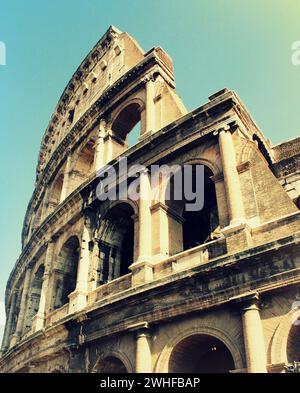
[78, 298]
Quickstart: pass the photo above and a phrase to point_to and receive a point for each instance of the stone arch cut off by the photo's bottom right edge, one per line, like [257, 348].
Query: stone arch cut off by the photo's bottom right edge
[285, 337]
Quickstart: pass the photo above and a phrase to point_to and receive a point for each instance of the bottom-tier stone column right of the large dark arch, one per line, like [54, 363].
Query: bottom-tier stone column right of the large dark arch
[253, 336]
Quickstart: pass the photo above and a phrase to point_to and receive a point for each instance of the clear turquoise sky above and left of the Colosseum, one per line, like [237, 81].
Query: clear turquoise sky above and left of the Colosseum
[244, 45]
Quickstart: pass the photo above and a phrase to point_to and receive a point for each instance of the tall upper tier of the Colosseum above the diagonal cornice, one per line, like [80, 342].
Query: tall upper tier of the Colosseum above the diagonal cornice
[117, 88]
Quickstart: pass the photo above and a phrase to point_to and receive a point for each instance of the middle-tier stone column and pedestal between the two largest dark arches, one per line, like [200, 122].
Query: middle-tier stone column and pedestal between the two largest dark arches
[142, 269]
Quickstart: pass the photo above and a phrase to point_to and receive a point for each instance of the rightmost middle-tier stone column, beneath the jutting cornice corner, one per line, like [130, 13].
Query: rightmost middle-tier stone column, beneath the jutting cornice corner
[231, 178]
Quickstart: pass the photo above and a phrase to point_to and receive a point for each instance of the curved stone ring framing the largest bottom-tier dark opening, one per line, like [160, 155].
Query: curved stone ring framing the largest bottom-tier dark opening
[162, 364]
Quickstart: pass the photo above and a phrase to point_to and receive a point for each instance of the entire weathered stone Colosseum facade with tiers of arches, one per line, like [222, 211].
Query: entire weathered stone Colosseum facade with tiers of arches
[147, 285]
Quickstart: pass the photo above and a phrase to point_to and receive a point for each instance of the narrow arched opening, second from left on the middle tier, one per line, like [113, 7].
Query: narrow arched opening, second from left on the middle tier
[34, 296]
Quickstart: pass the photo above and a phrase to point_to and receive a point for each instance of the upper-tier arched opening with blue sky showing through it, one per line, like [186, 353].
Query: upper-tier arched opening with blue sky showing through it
[127, 125]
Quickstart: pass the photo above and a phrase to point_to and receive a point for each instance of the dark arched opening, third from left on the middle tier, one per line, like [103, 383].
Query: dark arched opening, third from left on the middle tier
[66, 272]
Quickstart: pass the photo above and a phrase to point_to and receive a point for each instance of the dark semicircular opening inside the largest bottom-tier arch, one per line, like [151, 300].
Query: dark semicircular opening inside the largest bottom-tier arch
[201, 353]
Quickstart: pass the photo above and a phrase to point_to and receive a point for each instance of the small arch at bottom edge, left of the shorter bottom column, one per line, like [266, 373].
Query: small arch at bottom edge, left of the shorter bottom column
[113, 362]
